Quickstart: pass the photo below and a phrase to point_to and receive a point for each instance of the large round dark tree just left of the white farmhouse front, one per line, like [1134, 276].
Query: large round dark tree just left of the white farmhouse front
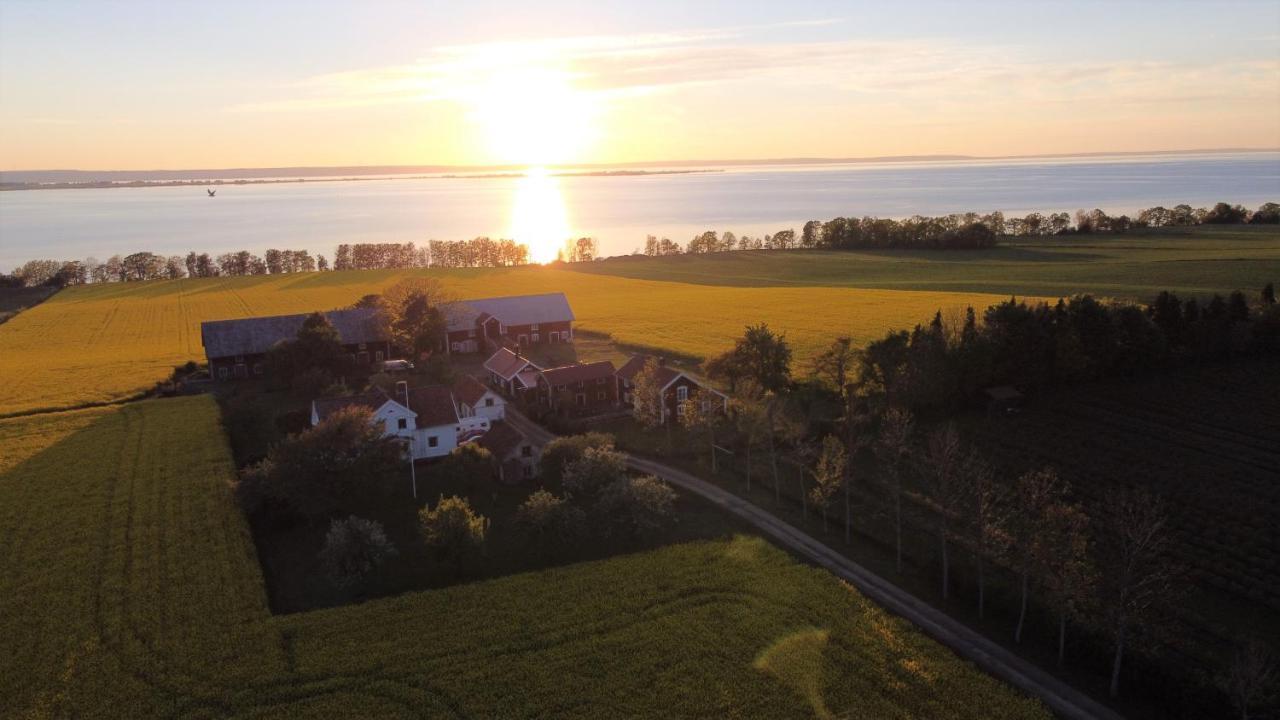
[342, 464]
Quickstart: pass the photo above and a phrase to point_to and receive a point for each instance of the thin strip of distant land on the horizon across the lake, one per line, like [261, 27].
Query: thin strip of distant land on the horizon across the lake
[72, 179]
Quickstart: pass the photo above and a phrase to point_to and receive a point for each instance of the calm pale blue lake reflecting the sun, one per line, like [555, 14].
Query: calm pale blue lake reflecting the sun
[620, 212]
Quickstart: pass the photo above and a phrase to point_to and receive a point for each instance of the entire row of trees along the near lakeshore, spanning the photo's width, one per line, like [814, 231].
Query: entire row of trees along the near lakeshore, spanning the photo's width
[958, 231]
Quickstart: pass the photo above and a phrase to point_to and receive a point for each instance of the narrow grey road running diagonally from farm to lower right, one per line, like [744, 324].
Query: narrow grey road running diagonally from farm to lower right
[1060, 698]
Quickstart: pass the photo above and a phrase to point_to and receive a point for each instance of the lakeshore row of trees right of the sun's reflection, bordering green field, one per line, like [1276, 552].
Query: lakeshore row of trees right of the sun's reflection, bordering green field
[959, 231]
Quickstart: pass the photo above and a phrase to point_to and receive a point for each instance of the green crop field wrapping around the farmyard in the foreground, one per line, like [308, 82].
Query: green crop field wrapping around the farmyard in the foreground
[131, 589]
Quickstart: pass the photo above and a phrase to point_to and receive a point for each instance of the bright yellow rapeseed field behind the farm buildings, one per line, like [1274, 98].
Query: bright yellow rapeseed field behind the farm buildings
[102, 344]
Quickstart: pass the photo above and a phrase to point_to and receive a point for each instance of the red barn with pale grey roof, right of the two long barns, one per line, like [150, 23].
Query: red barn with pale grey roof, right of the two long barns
[490, 323]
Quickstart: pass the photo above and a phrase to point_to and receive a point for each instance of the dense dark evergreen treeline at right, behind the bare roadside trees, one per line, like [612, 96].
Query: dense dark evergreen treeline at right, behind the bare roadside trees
[1035, 347]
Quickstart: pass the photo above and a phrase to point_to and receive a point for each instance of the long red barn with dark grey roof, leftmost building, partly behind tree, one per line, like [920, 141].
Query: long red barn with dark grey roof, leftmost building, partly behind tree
[237, 349]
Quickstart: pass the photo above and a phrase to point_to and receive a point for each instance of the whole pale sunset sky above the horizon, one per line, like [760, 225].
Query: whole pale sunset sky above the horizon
[222, 84]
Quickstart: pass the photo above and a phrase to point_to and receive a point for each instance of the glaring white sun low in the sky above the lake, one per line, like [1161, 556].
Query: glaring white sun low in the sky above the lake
[533, 116]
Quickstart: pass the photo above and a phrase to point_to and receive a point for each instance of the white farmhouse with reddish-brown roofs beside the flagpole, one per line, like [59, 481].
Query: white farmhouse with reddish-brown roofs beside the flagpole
[427, 418]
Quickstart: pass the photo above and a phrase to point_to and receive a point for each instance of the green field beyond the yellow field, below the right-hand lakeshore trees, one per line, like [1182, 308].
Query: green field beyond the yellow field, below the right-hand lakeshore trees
[1137, 266]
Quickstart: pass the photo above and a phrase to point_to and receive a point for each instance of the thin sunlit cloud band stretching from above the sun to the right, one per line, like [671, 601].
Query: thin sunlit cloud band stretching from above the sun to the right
[939, 75]
